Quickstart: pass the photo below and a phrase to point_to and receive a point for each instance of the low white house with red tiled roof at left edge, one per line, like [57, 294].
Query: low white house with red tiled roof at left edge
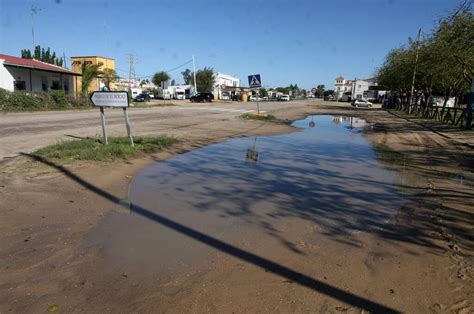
[18, 74]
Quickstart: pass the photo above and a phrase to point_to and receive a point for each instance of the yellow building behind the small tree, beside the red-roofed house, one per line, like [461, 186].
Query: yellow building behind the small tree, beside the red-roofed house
[97, 83]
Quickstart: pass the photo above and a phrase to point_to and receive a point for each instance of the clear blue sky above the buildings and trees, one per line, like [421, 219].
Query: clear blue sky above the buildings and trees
[287, 42]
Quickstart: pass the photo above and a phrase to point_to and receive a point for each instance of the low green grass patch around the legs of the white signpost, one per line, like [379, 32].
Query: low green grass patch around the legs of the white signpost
[93, 149]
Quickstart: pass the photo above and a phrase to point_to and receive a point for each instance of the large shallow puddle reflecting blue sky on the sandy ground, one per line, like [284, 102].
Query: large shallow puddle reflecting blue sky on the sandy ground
[326, 173]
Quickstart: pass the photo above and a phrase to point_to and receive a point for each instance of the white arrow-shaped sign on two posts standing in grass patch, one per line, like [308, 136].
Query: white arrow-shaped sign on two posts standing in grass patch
[112, 99]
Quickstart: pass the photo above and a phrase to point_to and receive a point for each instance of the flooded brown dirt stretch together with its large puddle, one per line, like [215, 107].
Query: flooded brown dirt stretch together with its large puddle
[290, 222]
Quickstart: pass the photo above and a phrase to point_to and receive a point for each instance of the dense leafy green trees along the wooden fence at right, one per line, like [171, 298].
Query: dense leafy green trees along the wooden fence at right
[440, 63]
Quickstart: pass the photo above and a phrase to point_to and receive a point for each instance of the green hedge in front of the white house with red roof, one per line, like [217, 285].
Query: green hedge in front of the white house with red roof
[27, 101]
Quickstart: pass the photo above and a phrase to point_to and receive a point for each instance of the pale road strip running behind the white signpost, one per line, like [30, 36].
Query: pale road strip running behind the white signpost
[24, 132]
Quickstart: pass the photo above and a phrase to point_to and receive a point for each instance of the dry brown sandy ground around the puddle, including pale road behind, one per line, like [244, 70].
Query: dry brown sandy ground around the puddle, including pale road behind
[420, 262]
